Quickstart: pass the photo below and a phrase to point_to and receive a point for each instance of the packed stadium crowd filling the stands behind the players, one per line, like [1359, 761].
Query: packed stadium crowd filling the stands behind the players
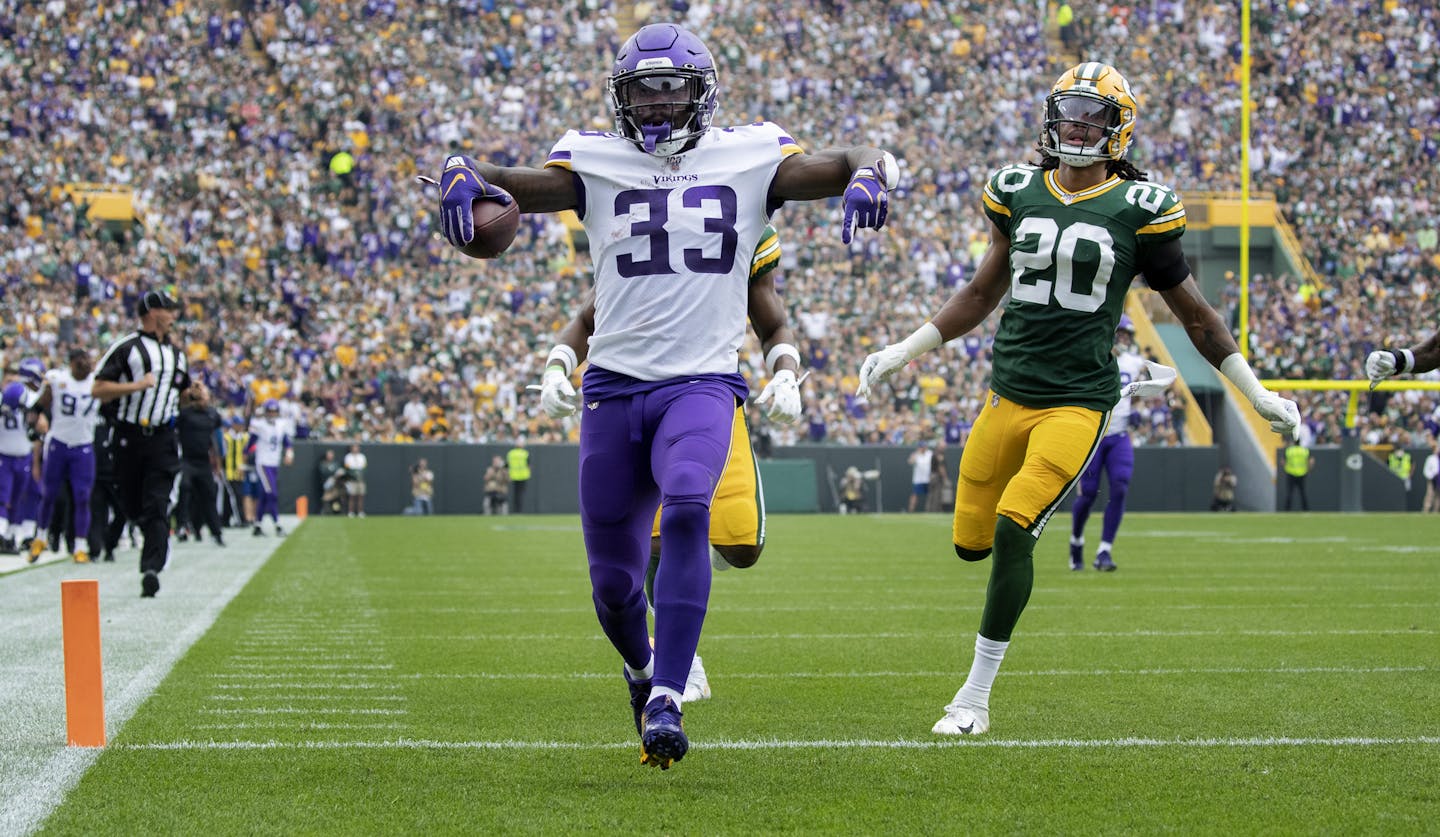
[273, 151]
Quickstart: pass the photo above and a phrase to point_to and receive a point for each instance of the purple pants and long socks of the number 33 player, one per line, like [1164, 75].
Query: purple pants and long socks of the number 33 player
[666, 446]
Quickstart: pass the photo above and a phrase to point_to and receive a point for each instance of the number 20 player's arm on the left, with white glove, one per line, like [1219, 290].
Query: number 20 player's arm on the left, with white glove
[960, 315]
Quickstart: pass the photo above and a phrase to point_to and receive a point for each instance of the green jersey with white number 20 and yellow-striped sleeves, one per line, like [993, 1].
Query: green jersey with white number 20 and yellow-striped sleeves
[1072, 260]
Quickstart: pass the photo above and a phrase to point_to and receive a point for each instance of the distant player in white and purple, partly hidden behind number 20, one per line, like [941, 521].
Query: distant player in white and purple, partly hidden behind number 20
[1115, 457]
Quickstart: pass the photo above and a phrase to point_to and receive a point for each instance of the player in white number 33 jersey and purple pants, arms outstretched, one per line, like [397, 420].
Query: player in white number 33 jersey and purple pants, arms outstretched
[673, 211]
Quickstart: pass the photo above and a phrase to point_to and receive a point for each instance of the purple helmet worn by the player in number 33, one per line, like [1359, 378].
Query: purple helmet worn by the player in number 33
[663, 90]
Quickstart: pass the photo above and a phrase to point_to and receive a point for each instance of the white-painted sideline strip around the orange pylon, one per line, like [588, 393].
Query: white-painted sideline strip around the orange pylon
[140, 642]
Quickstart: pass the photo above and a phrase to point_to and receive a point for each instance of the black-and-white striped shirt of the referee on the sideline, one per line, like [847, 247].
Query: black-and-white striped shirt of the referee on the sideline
[130, 359]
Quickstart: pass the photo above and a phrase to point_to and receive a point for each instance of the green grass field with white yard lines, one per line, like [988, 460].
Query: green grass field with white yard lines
[1241, 673]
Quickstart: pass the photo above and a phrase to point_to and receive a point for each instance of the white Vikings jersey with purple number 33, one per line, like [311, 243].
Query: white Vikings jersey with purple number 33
[672, 240]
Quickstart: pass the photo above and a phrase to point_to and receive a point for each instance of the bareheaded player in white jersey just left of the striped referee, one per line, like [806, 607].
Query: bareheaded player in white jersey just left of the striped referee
[70, 447]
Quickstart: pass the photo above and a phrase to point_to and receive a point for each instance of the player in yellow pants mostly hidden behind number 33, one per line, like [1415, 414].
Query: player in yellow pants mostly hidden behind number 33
[738, 511]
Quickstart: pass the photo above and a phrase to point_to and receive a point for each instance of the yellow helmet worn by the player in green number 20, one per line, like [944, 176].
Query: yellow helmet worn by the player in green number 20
[1091, 94]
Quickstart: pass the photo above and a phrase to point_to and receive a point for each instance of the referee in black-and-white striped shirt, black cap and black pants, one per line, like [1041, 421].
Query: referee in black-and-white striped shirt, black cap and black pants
[140, 381]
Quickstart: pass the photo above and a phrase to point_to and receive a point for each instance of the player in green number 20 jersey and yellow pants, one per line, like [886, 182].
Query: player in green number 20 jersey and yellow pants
[1068, 238]
